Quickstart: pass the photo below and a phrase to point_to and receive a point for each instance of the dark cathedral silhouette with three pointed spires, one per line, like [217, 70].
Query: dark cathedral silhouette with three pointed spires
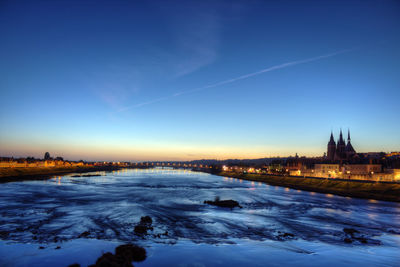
[340, 151]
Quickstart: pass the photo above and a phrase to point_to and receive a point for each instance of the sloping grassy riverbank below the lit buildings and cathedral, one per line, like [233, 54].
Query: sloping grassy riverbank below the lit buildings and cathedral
[358, 189]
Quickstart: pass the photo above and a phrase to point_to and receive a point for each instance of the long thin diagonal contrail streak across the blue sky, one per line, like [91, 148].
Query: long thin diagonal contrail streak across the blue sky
[276, 67]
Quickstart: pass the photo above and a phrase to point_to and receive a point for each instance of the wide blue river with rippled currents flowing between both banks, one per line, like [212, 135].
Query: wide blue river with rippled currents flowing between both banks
[276, 226]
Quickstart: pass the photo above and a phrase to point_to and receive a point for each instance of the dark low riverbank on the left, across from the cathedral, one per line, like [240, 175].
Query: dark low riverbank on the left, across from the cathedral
[24, 174]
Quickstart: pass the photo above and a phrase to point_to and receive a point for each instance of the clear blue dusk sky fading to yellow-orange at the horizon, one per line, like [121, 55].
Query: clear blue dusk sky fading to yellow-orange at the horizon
[181, 80]
